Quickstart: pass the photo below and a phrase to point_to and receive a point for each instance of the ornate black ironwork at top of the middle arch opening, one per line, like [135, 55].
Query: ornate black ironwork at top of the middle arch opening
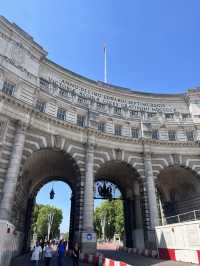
[105, 190]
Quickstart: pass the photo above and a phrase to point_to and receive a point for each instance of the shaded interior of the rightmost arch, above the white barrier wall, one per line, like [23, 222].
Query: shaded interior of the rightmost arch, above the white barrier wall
[179, 190]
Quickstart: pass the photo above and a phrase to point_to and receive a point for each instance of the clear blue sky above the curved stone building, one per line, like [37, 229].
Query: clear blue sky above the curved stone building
[152, 45]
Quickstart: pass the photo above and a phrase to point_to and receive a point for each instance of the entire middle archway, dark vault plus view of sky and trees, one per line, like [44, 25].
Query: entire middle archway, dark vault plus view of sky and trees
[120, 185]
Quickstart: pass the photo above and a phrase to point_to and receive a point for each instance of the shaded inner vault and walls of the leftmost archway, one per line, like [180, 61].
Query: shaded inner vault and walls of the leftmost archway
[40, 168]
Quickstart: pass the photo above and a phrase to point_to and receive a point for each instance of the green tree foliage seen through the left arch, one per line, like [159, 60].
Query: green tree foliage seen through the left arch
[40, 221]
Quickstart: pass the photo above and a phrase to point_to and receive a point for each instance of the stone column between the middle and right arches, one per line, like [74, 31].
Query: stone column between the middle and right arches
[151, 191]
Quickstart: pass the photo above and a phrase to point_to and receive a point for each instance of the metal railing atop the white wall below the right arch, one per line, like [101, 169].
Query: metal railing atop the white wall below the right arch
[182, 217]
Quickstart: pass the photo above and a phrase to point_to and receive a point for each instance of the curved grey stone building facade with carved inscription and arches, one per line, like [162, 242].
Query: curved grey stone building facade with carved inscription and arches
[55, 124]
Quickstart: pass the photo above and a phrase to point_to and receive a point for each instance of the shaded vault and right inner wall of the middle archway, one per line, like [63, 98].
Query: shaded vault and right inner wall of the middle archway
[126, 178]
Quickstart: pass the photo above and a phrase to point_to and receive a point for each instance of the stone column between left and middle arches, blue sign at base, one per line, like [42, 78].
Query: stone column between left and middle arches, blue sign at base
[88, 235]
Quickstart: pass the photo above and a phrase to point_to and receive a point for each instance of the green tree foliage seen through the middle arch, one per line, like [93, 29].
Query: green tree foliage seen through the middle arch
[110, 216]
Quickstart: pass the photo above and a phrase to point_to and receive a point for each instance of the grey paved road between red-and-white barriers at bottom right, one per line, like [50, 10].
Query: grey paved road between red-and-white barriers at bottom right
[137, 260]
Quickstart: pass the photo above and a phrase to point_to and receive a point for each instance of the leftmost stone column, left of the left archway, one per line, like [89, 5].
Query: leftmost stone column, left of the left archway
[12, 173]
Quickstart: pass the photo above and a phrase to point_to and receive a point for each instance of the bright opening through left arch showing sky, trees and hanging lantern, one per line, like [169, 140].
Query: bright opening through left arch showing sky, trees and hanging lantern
[51, 213]
